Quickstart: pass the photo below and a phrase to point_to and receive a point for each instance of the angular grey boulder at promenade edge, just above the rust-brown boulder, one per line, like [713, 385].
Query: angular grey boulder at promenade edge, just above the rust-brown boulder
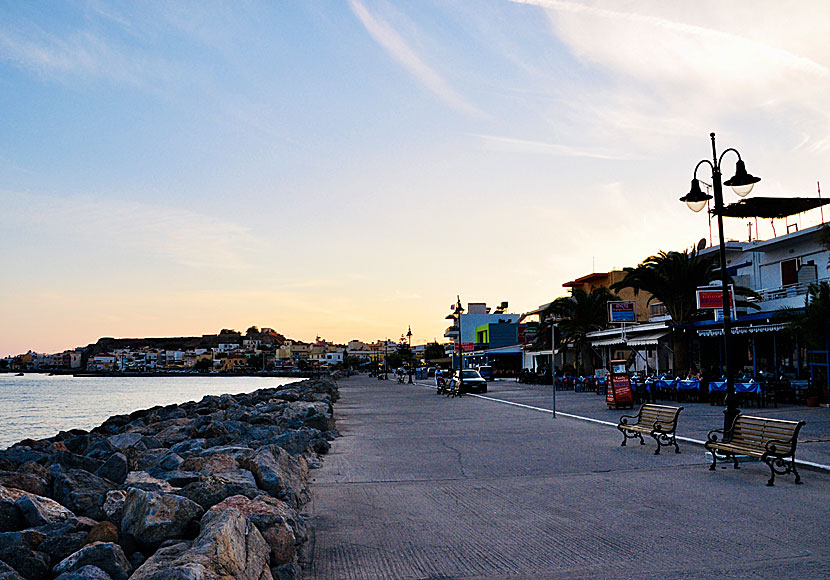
[279, 473]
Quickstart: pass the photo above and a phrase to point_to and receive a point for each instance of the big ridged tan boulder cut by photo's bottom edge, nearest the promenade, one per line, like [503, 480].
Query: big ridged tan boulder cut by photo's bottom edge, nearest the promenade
[229, 547]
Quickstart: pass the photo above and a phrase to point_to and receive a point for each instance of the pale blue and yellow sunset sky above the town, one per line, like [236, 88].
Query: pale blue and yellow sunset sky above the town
[347, 168]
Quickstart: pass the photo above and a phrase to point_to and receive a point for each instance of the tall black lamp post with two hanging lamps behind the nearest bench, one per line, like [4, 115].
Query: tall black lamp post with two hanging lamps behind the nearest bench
[741, 184]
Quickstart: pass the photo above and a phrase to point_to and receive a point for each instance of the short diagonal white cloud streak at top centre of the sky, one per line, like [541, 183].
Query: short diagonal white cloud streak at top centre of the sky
[386, 36]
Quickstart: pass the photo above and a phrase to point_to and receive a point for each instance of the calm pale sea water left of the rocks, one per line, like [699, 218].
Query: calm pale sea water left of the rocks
[39, 406]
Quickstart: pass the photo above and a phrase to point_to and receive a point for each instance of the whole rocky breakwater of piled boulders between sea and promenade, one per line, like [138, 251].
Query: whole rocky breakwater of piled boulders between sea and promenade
[203, 490]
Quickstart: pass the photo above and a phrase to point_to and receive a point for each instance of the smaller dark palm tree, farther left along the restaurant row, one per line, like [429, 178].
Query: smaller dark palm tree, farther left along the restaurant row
[577, 315]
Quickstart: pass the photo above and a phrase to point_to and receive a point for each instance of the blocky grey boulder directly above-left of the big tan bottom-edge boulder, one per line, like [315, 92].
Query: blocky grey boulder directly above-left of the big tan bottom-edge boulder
[152, 517]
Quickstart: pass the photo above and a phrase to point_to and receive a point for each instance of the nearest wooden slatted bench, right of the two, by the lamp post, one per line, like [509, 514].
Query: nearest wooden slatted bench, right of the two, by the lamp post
[771, 440]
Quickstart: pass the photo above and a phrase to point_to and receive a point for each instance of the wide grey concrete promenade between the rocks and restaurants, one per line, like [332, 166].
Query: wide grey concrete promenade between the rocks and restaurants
[424, 487]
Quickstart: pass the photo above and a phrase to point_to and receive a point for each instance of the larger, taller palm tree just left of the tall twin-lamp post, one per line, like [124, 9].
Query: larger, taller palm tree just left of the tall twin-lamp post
[673, 278]
